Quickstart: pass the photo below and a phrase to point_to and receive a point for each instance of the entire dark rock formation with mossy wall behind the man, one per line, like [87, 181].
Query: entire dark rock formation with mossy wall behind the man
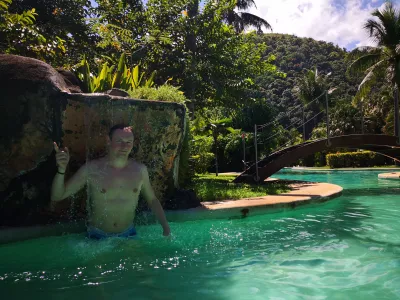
[38, 107]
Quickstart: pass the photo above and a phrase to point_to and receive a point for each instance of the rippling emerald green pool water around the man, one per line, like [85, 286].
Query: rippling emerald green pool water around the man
[347, 248]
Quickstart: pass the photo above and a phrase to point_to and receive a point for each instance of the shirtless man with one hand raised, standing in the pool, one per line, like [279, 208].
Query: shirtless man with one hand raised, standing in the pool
[114, 184]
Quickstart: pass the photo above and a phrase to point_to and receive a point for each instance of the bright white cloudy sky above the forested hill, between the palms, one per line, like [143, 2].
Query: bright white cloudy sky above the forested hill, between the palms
[340, 22]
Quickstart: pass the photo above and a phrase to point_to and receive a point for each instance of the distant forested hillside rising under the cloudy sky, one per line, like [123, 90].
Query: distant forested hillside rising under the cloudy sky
[294, 56]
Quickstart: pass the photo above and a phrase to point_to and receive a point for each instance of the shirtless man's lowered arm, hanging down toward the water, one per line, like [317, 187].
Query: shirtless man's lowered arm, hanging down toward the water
[153, 202]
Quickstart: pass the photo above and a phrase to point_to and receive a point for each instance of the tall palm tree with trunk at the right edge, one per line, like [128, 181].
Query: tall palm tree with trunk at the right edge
[383, 60]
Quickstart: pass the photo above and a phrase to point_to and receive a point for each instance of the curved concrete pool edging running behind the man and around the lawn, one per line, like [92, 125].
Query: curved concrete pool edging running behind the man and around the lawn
[301, 193]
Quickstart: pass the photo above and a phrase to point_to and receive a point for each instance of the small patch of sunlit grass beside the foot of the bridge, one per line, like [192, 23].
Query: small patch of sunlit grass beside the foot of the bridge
[212, 188]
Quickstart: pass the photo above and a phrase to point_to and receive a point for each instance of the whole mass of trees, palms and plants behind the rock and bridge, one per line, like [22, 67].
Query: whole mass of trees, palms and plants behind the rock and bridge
[195, 52]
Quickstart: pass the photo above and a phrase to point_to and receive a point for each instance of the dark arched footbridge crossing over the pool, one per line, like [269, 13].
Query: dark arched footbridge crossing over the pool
[383, 144]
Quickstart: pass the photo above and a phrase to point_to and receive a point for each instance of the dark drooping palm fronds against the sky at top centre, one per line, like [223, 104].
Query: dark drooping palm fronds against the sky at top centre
[241, 20]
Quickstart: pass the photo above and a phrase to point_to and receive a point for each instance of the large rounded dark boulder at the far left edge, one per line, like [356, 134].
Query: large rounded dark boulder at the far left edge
[32, 98]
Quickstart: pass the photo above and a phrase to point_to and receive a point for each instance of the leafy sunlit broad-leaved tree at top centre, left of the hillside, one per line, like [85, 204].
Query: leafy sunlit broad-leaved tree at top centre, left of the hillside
[213, 64]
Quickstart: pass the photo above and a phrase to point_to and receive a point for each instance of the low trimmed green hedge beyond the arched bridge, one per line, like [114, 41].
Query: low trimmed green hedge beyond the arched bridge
[355, 159]
